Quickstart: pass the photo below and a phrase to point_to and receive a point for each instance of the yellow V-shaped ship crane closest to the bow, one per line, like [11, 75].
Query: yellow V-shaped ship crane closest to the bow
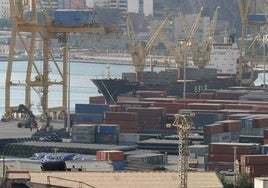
[137, 51]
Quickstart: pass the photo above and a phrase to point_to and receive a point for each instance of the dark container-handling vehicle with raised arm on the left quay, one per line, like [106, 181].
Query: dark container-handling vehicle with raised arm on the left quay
[29, 121]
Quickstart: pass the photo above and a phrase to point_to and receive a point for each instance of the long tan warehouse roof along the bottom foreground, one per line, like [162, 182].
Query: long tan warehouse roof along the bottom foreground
[125, 179]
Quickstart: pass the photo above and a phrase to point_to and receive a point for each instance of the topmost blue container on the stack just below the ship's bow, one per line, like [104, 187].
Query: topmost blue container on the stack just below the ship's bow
[91, 108]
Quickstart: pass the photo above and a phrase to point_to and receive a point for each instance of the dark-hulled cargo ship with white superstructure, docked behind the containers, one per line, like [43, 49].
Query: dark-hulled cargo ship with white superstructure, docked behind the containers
[220, 73]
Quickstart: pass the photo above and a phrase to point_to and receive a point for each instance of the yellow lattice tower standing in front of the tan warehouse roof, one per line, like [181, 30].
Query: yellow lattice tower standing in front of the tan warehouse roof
[183, 124]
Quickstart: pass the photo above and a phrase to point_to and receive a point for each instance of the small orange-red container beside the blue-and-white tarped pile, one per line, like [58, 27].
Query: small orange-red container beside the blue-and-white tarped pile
[113, 155]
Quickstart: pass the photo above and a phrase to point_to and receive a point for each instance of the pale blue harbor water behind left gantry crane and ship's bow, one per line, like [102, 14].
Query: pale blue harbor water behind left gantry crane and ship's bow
[81, 88]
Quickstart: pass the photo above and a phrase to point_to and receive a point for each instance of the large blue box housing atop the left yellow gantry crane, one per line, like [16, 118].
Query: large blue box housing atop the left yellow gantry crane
[75, 17]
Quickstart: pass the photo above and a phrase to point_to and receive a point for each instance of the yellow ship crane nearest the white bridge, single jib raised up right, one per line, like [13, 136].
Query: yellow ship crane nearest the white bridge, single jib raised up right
[201, 54]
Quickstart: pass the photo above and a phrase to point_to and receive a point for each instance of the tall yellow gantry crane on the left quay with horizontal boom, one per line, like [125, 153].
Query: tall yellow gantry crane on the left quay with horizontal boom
[25, 18]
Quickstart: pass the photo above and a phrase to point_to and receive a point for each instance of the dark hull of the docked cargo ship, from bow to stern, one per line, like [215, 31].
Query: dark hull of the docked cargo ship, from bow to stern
[112, 88]
